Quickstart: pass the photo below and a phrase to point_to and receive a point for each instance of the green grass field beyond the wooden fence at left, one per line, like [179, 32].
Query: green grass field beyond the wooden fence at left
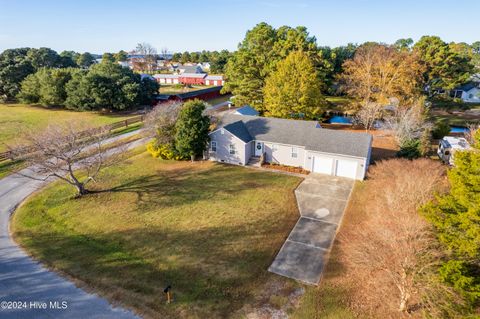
[17, 118]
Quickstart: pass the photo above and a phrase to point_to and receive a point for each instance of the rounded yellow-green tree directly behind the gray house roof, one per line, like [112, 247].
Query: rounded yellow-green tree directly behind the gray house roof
[293, 89]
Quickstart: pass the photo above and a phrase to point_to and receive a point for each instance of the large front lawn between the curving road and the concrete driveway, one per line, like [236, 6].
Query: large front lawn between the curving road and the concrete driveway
[208, 230]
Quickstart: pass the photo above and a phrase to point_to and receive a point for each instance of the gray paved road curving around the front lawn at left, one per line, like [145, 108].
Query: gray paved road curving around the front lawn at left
[24, 280]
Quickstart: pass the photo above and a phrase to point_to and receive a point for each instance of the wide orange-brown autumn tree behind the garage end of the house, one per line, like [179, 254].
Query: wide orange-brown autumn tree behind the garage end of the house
[378, 73]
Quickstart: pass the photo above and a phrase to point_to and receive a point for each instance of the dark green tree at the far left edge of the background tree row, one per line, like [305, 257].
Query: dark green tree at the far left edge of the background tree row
[14, 68]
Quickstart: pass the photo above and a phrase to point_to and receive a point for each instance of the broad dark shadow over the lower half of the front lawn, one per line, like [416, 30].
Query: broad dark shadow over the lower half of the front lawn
[210, 275]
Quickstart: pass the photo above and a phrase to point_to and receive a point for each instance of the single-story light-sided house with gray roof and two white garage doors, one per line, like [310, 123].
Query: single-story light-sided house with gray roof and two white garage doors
[290, 142]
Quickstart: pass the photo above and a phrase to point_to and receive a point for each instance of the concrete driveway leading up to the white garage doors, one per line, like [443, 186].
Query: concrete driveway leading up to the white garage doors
[321, 201]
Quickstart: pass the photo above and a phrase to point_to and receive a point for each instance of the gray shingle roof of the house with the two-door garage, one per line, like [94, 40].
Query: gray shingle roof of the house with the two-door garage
[298, 132]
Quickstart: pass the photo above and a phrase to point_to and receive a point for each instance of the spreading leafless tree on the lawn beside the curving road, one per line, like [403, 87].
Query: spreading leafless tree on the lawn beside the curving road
[60, 150]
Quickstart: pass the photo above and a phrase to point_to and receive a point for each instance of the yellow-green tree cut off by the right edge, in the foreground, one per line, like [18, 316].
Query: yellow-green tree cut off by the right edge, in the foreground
[455, 216]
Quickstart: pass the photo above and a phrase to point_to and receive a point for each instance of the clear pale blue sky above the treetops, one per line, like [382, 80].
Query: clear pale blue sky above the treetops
[100, 26]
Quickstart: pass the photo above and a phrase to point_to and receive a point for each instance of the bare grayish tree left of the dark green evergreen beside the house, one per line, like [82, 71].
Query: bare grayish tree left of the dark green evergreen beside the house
[160, 122]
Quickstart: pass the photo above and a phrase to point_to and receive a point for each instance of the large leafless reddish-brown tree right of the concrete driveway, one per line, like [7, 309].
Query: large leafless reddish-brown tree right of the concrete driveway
[393, 251]
